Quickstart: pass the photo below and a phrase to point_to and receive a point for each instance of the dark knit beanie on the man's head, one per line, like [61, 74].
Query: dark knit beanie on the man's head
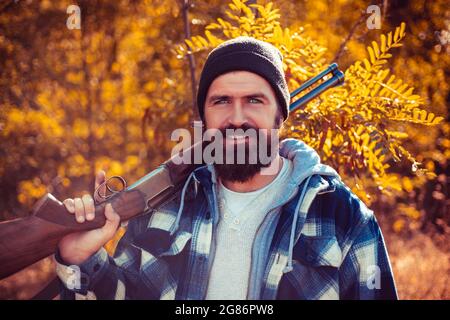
[246, 54]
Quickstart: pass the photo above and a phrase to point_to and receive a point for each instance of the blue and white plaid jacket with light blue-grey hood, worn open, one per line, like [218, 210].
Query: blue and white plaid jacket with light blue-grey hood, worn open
[324, 243]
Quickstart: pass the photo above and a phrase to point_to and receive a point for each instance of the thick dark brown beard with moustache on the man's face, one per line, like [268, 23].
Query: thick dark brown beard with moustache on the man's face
[238, 172]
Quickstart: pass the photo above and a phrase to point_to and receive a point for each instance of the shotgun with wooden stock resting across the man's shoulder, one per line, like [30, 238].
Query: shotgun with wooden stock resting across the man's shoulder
[25, 241]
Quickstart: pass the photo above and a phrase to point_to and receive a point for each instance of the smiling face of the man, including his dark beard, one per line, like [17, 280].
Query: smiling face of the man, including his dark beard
[241, 100]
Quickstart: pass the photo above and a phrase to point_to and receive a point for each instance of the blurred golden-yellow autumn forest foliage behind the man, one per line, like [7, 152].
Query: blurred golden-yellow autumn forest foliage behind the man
[108, 95]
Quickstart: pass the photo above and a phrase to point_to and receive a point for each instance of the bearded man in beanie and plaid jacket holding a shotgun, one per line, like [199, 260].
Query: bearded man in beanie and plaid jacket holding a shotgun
[238, 230]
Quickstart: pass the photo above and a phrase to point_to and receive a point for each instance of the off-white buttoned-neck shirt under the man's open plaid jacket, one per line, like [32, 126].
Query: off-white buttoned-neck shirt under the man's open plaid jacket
[241, 214]
